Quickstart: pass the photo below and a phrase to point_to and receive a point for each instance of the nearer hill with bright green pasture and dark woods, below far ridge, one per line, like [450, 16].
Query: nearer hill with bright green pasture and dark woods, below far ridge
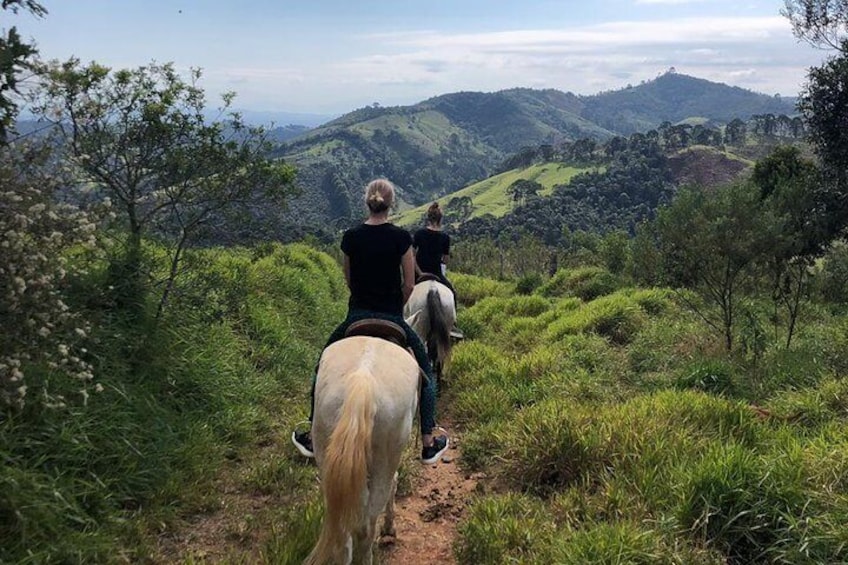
[549, 191]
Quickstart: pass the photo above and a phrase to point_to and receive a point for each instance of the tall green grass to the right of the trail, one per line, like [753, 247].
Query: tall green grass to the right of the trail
[617, 431]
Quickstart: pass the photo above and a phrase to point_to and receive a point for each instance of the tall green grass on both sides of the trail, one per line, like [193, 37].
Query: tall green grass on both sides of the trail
[617, 424]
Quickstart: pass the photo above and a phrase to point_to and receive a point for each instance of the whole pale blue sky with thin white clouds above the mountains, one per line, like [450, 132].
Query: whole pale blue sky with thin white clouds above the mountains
[331, 56]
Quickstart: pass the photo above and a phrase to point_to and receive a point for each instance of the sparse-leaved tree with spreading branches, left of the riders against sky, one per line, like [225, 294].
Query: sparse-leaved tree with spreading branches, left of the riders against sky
[140, 136]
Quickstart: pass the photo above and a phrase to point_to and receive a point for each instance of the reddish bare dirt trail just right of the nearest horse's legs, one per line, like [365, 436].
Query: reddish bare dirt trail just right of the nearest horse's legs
[426, 520]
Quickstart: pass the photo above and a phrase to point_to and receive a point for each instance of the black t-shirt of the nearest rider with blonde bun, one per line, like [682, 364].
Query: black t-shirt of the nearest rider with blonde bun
[375, 253]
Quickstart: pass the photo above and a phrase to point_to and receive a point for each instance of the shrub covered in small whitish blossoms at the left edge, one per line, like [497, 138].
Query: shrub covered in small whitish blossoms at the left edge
[40, 329]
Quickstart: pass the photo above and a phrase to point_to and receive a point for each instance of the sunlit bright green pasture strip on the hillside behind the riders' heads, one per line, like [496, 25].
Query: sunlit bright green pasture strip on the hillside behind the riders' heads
[490, 196]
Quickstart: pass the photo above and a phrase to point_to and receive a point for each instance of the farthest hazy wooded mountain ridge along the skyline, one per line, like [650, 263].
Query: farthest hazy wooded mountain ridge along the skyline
[442, 144]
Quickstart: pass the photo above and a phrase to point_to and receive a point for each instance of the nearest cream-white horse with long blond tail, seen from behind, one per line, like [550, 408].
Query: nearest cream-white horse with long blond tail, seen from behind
[366, 397]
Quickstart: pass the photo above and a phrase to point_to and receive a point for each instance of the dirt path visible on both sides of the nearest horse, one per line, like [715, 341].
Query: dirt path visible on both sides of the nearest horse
[234, 524]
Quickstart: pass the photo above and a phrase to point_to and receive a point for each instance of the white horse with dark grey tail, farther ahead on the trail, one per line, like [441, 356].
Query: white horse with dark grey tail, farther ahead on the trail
[431, 312]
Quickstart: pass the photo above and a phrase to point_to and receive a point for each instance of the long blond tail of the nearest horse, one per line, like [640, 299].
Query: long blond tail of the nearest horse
[344, 472]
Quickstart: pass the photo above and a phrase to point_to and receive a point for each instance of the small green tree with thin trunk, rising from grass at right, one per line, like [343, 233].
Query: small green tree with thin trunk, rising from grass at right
[711, 243]
